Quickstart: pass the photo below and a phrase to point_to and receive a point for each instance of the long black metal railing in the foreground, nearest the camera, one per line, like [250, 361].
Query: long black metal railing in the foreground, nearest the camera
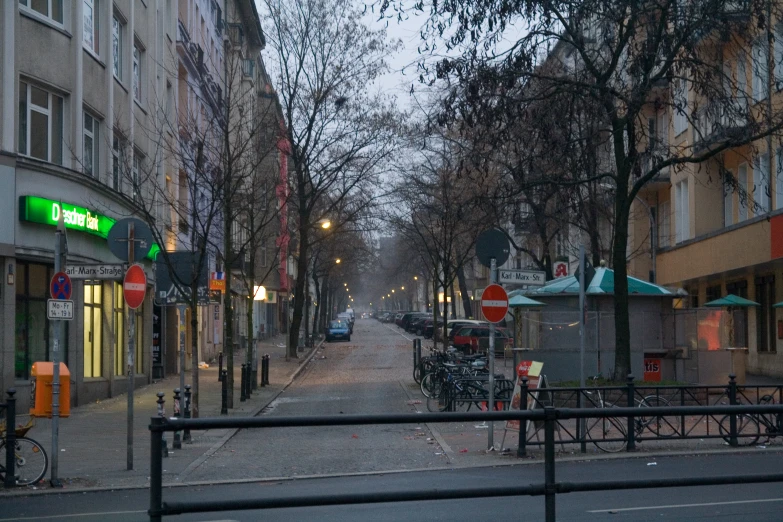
[549, 488]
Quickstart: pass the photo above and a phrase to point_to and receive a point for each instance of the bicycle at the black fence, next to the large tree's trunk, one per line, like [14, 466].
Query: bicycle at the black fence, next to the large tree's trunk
[610, 434]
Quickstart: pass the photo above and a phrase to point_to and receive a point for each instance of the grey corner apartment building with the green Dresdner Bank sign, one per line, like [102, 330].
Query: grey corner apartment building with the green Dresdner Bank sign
[83, 81]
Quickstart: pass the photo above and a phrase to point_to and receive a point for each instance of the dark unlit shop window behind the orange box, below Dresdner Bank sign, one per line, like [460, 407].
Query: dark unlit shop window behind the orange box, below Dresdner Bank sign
[33, 330]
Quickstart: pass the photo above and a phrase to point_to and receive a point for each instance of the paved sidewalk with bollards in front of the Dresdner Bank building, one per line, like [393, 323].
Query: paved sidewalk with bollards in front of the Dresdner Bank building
[93, 440]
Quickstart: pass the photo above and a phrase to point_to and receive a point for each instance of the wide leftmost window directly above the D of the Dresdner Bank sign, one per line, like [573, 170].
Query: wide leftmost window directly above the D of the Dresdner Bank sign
[40, 124]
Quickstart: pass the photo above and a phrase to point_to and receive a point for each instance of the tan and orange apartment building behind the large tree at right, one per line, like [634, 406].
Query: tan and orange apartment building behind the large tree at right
[709, 237]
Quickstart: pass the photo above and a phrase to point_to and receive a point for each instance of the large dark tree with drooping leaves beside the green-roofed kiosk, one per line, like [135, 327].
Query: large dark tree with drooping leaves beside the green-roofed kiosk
[630, 60]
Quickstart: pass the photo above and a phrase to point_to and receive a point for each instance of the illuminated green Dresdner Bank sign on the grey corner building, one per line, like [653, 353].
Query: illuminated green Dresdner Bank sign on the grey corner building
[34, 209]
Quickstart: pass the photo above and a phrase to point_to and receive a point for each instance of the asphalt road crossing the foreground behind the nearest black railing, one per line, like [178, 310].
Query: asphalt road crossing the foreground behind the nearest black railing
[759, 502]
